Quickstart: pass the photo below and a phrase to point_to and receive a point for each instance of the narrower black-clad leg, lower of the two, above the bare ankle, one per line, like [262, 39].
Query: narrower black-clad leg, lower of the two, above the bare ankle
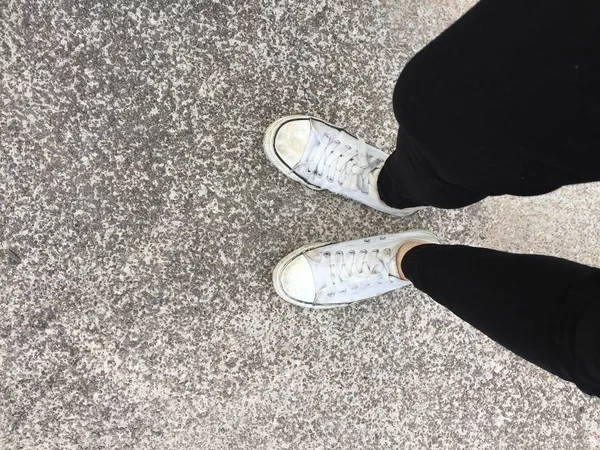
[544, 309]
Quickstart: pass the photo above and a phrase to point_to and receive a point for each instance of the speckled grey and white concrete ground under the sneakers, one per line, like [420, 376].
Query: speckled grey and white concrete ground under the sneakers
[140, 223]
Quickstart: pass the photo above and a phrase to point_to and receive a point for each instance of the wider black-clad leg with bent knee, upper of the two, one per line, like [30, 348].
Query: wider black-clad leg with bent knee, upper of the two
[505, 101]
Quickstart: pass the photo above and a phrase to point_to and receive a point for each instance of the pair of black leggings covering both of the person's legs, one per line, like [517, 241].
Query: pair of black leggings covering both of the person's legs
[506, 101]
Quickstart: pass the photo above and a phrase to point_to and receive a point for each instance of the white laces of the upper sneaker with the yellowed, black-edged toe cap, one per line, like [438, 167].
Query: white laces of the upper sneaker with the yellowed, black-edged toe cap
[350, 166]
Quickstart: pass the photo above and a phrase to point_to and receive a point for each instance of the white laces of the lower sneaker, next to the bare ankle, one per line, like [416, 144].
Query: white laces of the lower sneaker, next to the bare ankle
[352, 270]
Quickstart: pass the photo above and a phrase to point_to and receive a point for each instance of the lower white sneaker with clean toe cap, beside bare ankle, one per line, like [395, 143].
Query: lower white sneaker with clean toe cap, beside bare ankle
[323, 276]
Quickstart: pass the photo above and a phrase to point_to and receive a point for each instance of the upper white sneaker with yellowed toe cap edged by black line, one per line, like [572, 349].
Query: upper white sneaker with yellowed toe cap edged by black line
[323, 156]
